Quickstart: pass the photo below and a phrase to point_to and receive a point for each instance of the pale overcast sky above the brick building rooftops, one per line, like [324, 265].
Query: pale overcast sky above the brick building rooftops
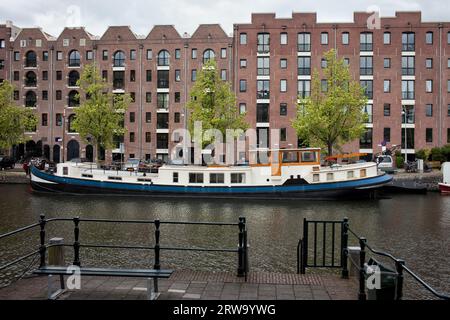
[141, 15]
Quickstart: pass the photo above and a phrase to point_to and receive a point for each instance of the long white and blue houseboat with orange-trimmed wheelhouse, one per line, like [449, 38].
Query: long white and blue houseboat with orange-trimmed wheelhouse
[286, 174]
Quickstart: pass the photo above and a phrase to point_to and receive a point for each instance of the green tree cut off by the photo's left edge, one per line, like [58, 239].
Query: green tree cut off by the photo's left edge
[14, 120]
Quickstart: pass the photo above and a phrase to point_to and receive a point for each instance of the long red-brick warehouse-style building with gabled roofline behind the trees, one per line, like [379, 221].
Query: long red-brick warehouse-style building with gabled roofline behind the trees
[404, 66]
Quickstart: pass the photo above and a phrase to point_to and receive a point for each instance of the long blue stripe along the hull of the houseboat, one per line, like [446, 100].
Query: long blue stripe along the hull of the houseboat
[355, 184]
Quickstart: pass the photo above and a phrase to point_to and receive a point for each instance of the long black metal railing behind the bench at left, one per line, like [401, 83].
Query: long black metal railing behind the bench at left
[242, 249]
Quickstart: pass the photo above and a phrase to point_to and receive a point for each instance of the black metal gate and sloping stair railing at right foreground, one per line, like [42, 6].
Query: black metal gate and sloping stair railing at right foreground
[303, 259]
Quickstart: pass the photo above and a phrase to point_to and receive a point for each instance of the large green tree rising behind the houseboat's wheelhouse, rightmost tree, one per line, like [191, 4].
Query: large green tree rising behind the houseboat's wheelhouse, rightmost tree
[332, 115]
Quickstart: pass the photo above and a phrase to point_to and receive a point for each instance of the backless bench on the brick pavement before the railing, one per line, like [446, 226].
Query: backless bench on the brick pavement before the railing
[103, 272]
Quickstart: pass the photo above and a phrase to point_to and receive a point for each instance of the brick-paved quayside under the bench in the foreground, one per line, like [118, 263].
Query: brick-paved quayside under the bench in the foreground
[195, 285]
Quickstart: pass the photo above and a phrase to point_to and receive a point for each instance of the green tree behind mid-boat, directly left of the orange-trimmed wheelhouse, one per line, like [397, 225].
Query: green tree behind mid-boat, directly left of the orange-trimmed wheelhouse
[213, 103]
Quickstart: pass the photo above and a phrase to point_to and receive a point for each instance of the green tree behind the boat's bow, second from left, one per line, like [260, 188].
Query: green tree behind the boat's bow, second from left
[101, 116]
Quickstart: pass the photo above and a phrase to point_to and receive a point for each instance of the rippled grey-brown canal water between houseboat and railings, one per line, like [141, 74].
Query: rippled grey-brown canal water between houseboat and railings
[413, 227]
